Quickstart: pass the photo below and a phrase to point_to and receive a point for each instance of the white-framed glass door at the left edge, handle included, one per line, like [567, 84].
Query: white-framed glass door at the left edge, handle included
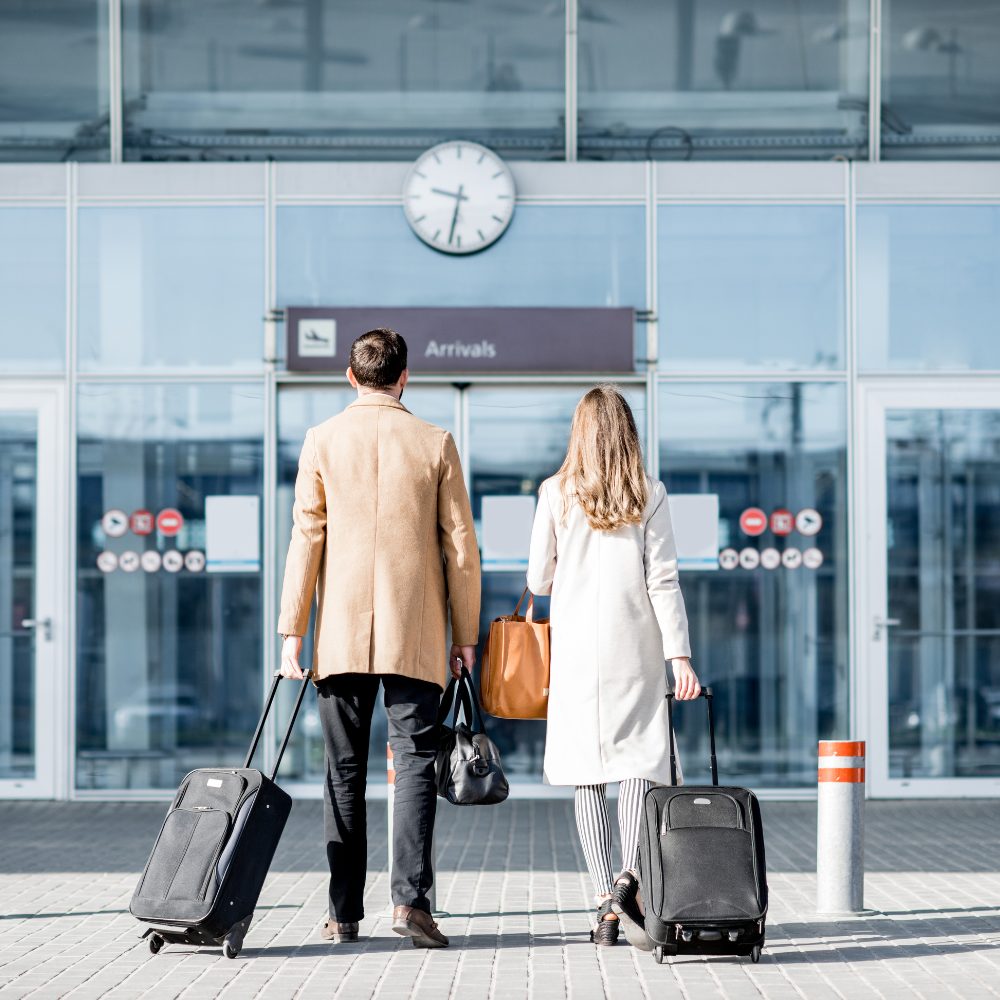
[34, 718]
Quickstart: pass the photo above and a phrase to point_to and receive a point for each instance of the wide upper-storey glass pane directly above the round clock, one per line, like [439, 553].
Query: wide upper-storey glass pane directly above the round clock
[341, 79]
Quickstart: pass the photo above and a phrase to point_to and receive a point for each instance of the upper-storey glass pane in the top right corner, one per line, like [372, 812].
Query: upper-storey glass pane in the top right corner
[940, 79]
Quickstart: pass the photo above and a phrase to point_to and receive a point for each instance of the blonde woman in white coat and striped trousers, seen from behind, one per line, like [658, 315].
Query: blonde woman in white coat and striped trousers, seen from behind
[603, 547]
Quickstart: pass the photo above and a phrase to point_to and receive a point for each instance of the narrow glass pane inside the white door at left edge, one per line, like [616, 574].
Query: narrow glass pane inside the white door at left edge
[18, 508]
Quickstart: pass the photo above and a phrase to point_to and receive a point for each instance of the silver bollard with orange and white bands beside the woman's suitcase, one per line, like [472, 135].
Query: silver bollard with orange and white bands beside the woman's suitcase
[840, 842]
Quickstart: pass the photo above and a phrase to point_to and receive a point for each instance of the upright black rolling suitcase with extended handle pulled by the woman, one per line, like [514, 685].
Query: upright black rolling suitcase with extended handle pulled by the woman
[701, 857]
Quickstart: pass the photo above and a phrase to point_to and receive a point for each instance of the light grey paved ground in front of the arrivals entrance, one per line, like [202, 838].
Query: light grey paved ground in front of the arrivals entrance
[67, 871]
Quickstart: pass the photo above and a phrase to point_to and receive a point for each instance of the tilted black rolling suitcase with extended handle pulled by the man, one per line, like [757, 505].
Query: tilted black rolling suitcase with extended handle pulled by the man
[208, 865]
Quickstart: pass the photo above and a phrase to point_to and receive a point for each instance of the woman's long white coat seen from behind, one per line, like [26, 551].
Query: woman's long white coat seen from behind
[617, 615]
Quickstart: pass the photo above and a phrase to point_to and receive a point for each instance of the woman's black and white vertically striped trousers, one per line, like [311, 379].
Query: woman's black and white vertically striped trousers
[594, 826]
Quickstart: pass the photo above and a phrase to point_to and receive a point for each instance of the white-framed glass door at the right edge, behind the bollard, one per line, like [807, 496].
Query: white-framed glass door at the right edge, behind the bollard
[929, 586]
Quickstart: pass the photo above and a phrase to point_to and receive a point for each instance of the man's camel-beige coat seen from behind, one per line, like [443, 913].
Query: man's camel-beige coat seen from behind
[383, 537]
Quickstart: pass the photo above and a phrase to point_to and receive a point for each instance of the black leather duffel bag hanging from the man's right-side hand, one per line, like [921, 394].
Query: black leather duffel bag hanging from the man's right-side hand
[468, 763]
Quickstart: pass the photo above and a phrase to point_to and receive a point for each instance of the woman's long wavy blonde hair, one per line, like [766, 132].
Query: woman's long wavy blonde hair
[603, 470]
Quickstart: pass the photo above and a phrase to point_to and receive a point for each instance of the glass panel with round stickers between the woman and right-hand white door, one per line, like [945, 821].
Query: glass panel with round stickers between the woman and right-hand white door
[771, 642]
